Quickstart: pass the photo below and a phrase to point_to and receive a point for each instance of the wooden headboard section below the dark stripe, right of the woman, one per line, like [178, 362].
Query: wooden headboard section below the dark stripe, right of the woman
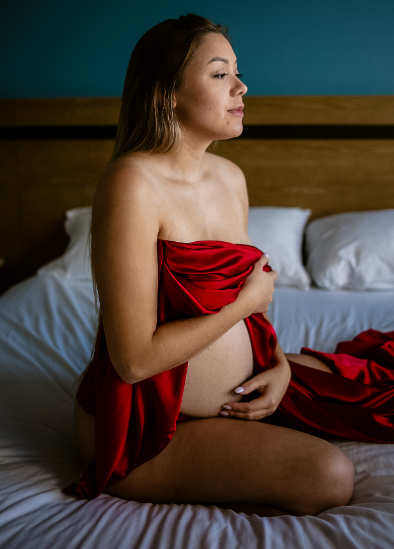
[326, 176]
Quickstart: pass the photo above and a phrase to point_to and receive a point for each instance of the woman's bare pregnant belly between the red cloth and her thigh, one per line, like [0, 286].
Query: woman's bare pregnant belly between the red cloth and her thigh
[213, 375]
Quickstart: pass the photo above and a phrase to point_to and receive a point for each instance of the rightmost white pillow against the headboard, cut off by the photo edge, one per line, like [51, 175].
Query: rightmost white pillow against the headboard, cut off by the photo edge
[352, 250]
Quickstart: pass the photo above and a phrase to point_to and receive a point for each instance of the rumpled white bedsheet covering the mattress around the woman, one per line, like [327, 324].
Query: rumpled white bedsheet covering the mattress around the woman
[46, 334]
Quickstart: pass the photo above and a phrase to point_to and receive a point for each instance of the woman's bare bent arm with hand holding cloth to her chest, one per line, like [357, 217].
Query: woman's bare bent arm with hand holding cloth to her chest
[125, 225]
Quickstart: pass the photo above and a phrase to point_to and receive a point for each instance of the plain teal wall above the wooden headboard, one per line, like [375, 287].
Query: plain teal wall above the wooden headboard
[80, 48]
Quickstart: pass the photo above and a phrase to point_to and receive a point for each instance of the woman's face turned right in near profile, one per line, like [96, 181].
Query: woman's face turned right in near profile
[208, 103]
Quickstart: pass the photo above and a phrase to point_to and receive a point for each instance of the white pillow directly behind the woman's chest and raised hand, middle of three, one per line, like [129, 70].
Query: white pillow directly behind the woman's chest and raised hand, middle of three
[279, 232]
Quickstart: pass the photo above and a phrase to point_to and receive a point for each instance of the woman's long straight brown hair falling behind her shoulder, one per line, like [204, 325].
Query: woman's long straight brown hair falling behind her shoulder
[147, 122]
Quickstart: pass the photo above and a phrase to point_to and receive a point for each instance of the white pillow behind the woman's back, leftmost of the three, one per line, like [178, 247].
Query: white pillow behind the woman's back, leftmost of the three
[75, 262]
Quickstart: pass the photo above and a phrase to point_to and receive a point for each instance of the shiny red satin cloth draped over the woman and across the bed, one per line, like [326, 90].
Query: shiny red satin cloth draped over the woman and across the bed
[135, 422]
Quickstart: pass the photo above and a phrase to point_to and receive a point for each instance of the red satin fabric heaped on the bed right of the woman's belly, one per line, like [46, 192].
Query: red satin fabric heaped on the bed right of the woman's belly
[356, 402]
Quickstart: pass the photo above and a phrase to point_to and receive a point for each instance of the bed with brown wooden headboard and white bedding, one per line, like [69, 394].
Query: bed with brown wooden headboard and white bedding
[322, 156]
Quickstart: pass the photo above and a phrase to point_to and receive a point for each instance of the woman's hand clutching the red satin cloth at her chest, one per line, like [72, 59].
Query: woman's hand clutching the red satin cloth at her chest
[258, 287]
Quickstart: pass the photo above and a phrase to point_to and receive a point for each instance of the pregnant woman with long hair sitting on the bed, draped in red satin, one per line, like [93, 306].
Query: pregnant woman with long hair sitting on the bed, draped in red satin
[186, 361]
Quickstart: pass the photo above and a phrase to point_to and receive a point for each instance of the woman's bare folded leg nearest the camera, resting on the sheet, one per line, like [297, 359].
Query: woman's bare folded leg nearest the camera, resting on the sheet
[230, 460]
